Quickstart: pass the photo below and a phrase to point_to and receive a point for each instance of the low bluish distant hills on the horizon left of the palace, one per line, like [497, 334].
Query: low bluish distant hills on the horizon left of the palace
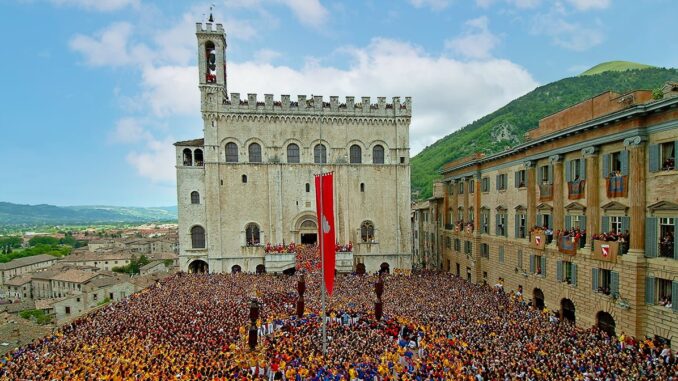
[18, 214]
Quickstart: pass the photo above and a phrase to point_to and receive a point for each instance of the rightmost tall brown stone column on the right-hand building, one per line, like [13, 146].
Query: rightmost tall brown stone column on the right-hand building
[636, 148]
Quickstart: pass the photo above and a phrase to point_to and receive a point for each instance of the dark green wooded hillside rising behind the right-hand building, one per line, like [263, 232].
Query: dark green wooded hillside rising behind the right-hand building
[507, 126]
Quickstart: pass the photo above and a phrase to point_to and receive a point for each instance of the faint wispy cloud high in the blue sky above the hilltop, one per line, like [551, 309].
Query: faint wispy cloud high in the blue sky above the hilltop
[572, 36]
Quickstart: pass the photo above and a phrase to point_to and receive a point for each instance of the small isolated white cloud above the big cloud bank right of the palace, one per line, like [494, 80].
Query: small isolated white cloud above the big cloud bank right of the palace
[477, 42]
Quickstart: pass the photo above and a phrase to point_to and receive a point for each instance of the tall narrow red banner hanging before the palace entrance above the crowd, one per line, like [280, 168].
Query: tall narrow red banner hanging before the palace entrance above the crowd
[324, 202]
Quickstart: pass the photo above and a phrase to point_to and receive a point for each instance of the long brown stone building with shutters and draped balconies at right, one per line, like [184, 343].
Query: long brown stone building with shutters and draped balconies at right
[581, 217]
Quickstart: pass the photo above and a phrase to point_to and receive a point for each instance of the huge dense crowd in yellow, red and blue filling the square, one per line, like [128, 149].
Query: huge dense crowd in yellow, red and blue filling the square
[435, 327]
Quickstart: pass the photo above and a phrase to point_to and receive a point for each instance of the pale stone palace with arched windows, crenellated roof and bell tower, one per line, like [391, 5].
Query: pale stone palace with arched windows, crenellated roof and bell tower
[250, 180]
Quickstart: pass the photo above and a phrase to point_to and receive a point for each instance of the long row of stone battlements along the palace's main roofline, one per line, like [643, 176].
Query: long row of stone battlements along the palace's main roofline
[316, 104]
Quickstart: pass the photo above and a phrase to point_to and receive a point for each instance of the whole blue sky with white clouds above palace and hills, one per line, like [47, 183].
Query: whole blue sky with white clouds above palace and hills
[94, 92]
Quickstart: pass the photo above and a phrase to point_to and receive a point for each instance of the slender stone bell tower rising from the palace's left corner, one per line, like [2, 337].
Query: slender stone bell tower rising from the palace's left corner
[211, 64]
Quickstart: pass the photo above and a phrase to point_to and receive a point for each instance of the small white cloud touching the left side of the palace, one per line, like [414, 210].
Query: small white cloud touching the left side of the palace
[156, 161]
